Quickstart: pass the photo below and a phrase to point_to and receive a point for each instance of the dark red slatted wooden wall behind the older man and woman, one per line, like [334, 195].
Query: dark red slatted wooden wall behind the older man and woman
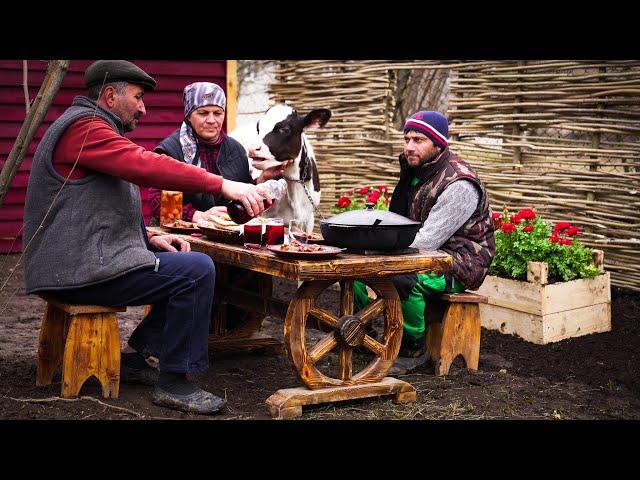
[164, 114]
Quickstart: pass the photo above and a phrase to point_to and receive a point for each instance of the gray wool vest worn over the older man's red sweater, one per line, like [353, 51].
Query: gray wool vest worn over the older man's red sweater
[93, 232]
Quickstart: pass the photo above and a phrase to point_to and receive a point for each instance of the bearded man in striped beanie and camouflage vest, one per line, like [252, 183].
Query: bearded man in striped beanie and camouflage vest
[441, 190]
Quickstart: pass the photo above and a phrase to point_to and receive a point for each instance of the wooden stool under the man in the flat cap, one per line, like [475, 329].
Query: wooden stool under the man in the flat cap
[86, 340]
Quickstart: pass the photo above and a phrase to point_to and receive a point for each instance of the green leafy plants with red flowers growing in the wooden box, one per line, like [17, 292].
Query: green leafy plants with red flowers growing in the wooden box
[559, 247]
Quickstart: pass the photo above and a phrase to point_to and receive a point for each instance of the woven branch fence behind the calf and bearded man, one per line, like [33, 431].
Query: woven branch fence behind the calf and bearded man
[562, 136]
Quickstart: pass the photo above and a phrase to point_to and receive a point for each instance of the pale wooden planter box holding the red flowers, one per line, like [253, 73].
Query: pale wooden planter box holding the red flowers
[543, 313]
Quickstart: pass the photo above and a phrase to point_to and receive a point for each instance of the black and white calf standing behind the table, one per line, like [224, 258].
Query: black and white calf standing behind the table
[279, 137]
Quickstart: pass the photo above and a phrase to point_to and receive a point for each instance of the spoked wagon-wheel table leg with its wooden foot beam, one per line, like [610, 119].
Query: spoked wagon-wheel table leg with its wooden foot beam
[346, 331]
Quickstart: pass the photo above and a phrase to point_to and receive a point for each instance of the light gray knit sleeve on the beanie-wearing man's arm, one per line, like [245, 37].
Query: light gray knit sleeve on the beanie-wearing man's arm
[453, 208]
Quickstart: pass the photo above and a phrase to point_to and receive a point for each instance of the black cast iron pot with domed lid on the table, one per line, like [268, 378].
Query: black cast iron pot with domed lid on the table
[369, 229]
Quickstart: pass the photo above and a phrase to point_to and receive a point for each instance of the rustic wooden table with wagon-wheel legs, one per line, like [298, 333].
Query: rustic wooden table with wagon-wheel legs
[343, 331]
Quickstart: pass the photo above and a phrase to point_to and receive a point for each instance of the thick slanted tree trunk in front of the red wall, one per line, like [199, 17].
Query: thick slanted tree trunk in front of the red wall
[56, 71]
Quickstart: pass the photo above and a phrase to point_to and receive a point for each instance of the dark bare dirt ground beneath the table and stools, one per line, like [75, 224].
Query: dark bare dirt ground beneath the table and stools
[586, 378]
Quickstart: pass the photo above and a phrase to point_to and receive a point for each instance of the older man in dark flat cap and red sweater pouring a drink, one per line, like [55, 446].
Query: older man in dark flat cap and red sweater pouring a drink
[85, 240]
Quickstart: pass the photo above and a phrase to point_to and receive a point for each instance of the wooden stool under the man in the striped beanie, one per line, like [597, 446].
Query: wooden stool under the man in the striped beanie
[456, 331]
